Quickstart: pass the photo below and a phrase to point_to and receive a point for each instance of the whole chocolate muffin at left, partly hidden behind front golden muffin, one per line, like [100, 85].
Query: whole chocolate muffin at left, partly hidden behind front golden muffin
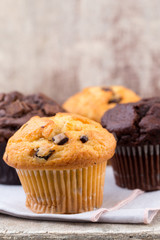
[15, 110]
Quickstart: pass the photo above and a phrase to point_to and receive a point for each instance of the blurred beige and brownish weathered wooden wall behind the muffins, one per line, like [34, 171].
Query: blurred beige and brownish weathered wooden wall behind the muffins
[60, 46]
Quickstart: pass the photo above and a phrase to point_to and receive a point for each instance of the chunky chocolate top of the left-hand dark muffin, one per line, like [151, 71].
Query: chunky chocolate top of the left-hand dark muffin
[16, 109]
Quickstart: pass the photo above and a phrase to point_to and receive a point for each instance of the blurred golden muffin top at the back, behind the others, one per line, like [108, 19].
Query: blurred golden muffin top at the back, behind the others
[92, 102]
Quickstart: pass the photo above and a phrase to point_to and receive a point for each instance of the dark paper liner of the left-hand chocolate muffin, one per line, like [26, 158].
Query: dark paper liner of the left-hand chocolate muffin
[8, 174]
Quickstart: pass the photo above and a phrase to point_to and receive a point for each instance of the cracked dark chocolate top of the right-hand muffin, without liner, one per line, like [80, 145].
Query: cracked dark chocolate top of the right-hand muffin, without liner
[135, 123]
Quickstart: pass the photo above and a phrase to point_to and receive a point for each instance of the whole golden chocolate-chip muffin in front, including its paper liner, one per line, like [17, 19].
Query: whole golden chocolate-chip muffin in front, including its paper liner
[61, 162]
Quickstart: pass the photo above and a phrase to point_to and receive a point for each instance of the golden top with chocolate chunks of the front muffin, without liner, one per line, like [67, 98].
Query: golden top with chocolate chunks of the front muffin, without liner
[65, 141]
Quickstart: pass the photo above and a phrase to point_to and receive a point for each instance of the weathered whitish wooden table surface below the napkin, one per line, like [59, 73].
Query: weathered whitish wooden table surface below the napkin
[16, 228]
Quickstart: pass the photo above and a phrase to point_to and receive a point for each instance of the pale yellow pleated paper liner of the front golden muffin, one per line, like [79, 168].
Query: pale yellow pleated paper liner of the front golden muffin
[64, 191]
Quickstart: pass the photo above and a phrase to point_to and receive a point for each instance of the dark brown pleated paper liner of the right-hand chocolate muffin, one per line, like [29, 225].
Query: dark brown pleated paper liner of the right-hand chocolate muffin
[137, 167]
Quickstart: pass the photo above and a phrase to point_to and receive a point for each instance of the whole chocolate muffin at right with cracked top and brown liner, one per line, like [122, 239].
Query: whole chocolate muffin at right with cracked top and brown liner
[136, 163]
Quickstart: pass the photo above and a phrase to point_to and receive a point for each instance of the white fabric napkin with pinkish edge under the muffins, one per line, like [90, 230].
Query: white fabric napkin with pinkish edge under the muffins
[119, 205]
